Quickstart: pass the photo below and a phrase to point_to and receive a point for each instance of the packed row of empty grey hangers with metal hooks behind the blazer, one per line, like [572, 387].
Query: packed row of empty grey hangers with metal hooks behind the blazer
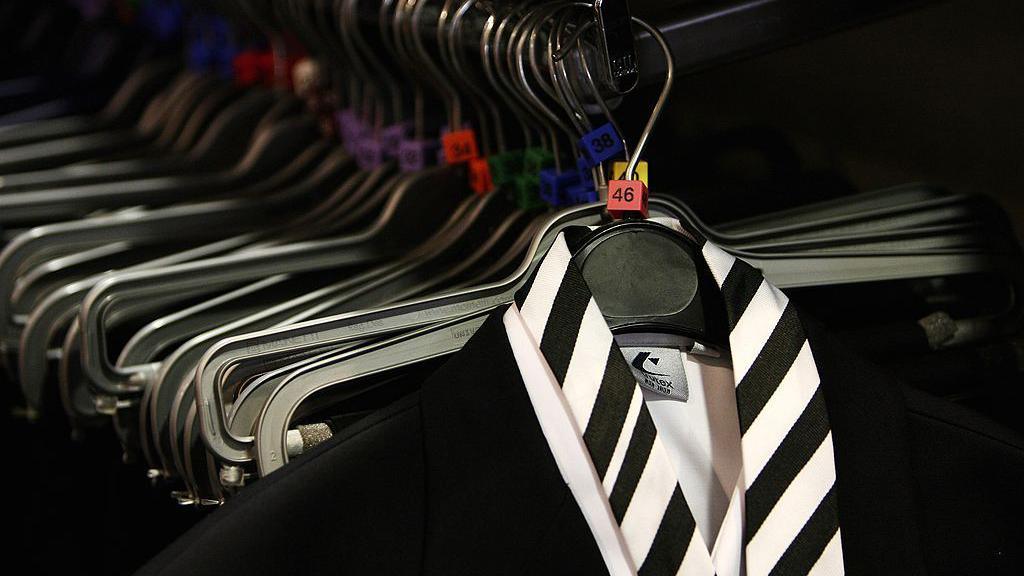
[197, 265]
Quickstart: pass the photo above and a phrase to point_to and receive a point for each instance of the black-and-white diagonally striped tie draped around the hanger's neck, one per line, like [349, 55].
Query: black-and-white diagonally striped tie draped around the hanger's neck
[791, 528]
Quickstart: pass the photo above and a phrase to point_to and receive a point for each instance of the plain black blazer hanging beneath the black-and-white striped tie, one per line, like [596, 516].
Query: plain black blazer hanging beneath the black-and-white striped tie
[458, 479]
